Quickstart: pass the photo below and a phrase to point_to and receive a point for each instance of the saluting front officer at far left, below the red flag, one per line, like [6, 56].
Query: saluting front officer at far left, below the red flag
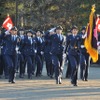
[9, 52]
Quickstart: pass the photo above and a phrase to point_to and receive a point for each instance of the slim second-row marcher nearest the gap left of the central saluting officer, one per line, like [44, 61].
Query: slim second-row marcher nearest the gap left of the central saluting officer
[39, 54]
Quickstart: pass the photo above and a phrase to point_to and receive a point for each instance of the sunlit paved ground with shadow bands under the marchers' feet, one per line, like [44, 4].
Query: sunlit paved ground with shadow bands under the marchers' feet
[45, 88]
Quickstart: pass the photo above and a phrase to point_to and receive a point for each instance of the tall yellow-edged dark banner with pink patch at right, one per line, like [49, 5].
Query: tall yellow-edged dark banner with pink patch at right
[92, 36]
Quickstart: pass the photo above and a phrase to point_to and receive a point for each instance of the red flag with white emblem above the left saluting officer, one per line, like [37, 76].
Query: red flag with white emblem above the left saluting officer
[7, 24]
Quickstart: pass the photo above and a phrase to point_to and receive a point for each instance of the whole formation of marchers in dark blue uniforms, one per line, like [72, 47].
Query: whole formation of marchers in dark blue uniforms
[27, 50]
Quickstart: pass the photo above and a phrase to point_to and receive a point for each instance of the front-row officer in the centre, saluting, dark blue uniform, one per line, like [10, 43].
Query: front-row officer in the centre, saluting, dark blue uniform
[57, 52]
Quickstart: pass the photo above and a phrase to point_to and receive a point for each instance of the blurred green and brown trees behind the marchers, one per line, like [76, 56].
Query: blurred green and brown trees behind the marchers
[47, 13]
